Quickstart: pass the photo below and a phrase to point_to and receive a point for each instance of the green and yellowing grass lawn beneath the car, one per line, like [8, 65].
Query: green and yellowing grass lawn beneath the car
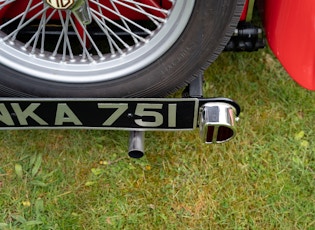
[263, 179]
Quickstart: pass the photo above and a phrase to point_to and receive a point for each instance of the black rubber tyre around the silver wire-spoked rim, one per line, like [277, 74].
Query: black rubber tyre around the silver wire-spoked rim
[209, 28]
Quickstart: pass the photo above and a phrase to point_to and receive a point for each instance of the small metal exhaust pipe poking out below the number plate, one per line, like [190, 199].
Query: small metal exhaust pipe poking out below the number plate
[136, 144]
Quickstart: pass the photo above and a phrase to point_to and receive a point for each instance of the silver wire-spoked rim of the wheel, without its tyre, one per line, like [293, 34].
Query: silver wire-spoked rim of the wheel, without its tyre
[46, 40]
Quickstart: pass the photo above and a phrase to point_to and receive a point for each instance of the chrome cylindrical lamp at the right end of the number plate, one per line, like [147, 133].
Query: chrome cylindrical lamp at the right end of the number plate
[216, 122]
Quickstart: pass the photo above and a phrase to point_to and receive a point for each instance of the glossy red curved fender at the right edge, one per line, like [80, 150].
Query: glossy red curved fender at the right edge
[290, 30]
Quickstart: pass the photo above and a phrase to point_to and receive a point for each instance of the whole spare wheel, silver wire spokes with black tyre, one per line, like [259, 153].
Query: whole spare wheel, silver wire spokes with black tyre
[97, 48]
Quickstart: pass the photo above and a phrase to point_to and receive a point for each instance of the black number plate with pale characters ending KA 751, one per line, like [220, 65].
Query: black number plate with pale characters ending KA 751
[125, 114]
